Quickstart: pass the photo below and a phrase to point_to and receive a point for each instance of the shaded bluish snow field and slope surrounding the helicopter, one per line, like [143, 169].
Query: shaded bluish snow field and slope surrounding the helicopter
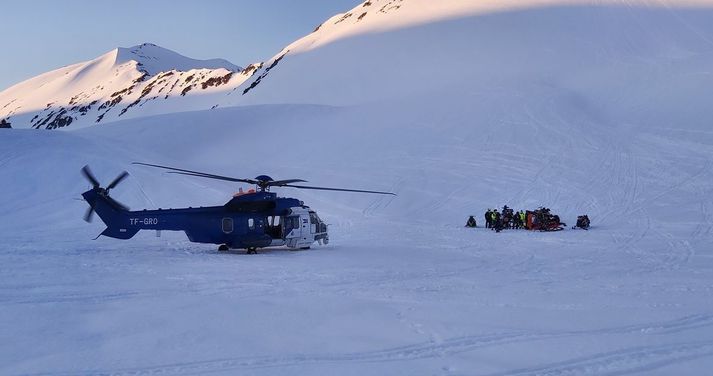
[541, 106]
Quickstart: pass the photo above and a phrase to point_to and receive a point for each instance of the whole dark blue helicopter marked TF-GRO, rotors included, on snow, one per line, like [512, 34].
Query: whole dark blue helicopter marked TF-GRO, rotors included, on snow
[252, 219]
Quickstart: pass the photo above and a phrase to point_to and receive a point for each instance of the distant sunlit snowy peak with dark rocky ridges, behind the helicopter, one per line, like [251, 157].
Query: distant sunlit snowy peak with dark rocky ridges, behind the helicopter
[123, 83]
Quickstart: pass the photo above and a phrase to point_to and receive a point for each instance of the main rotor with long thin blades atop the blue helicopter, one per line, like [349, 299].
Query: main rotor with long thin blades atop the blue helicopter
[263, 182]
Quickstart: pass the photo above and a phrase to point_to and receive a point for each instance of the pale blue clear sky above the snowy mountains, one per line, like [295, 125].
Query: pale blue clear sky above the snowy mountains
[41, 35]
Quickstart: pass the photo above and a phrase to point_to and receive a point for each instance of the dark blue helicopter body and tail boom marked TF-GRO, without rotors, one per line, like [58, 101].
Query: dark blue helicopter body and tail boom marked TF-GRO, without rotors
[250, 221]
